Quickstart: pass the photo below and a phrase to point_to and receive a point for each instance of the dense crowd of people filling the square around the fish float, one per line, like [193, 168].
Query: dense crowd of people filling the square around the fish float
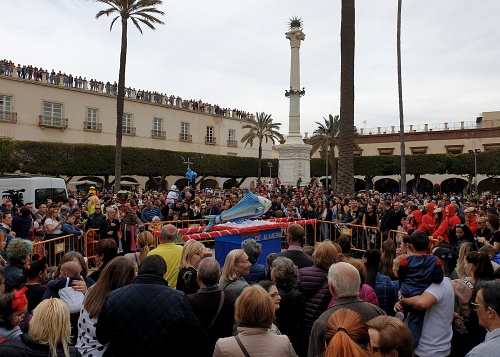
[431, 290]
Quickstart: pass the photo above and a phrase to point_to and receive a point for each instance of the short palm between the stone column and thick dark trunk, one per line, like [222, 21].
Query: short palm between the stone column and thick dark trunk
[326, 138]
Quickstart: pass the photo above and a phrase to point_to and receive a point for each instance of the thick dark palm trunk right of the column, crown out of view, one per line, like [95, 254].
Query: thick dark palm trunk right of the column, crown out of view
[346, 142]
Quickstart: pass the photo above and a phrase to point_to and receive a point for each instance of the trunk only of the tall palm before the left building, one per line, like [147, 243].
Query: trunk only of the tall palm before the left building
[120, 103]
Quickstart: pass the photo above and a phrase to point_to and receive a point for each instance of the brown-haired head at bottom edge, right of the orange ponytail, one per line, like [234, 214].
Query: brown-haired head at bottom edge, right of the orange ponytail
[389, 335]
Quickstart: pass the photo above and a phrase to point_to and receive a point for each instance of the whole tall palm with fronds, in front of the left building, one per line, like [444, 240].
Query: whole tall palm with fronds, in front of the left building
[138, 11]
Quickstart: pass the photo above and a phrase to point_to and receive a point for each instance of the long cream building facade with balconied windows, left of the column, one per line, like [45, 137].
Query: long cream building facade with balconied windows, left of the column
[42, 111]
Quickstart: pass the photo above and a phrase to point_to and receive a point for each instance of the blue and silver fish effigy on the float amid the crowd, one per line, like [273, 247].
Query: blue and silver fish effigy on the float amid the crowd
[250, 206]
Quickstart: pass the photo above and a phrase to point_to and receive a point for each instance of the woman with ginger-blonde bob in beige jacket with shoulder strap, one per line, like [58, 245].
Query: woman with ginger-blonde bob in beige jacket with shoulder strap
[254, 313]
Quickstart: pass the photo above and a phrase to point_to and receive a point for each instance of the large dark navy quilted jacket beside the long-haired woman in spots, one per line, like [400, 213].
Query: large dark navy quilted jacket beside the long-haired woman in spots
[147, 318]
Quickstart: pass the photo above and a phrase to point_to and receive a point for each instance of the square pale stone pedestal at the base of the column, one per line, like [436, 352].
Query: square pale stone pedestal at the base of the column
[295, 162]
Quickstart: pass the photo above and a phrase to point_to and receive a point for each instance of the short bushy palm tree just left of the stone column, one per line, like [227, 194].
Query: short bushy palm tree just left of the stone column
[261, 127]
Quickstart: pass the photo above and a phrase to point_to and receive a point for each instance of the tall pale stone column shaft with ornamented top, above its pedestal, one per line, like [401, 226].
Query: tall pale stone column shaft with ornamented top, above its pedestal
[295, 35]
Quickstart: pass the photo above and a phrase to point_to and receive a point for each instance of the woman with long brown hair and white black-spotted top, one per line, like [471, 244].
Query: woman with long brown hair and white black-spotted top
[118, 272]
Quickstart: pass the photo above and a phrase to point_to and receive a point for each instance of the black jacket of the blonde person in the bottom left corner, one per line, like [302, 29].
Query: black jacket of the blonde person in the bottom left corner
[27, 347]
